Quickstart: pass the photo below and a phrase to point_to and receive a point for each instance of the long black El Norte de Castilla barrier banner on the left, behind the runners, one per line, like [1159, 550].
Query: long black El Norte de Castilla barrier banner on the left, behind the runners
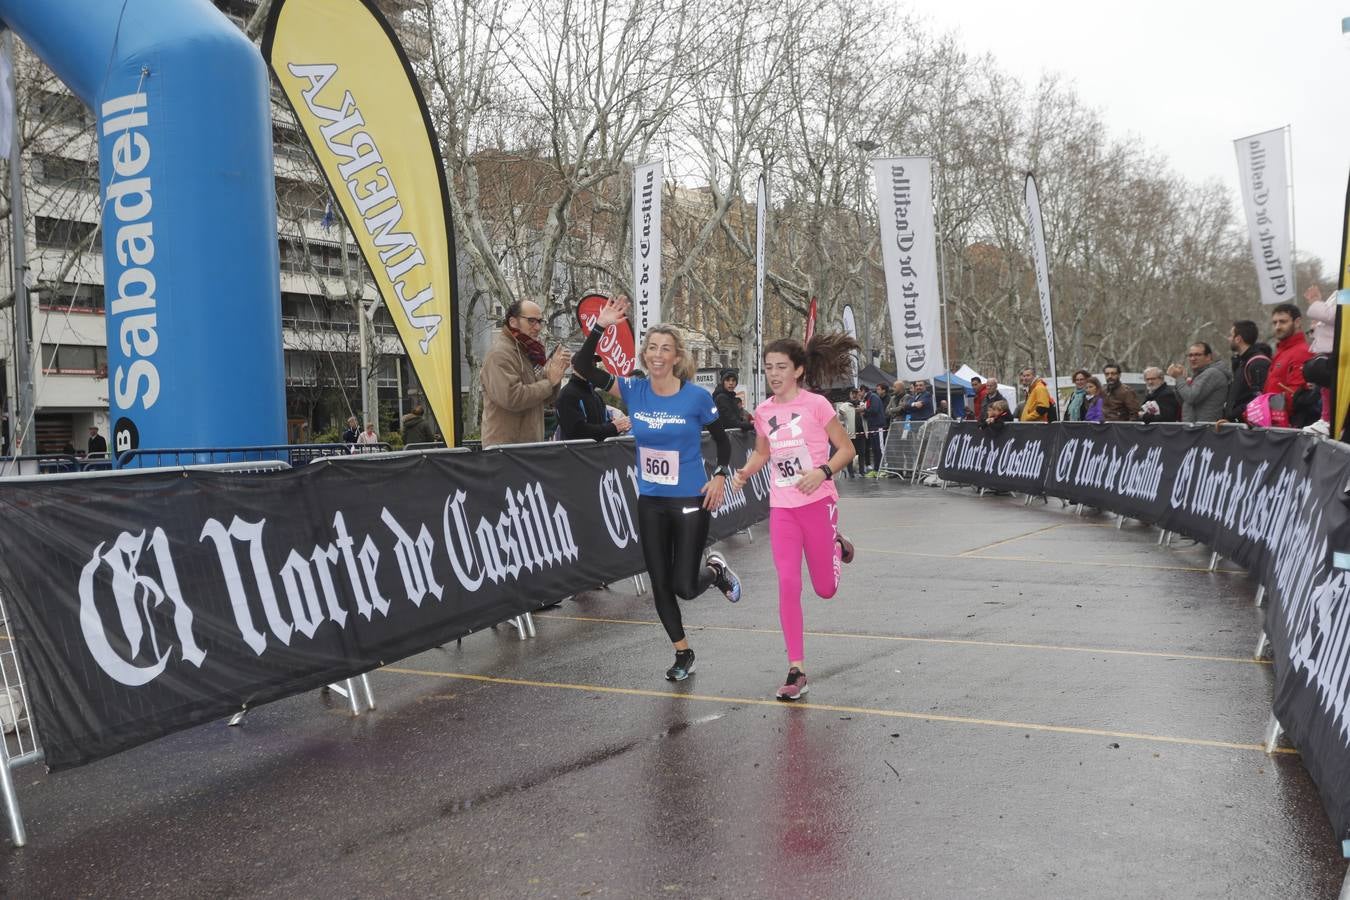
[145, 604]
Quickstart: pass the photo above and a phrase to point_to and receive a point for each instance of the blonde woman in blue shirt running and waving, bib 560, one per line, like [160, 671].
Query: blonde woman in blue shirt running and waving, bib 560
[674, 496]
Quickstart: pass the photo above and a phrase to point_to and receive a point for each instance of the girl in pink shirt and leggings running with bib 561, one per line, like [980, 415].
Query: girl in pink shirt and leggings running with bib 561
[794, 432]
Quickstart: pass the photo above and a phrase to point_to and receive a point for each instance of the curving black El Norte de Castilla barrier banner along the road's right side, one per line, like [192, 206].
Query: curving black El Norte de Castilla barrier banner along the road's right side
[1274, 503]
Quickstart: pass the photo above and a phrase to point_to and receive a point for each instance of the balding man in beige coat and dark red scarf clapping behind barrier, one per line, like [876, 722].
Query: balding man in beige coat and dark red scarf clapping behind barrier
[519, 383]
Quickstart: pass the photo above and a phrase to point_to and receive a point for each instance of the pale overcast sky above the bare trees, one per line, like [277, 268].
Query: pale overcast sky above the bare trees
[1191, 76]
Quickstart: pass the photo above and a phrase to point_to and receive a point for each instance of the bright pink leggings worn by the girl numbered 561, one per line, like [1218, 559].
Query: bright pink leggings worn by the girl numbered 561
[793, 531]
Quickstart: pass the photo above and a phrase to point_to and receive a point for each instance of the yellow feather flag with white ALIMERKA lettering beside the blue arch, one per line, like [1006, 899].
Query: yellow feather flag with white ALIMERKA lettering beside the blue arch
[357, 99]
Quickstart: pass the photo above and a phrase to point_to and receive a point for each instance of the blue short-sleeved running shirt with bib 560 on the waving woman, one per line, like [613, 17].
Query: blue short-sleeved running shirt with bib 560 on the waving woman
[669, 432]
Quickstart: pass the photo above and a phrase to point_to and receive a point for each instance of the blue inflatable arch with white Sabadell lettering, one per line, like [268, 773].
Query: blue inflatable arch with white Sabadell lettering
[190, 215]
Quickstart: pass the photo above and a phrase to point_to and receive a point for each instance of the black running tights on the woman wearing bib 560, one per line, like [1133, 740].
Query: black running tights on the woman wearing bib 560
[673, 547]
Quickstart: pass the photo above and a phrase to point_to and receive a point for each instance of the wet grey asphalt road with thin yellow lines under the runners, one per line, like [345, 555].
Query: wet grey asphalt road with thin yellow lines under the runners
[1006, 702]
